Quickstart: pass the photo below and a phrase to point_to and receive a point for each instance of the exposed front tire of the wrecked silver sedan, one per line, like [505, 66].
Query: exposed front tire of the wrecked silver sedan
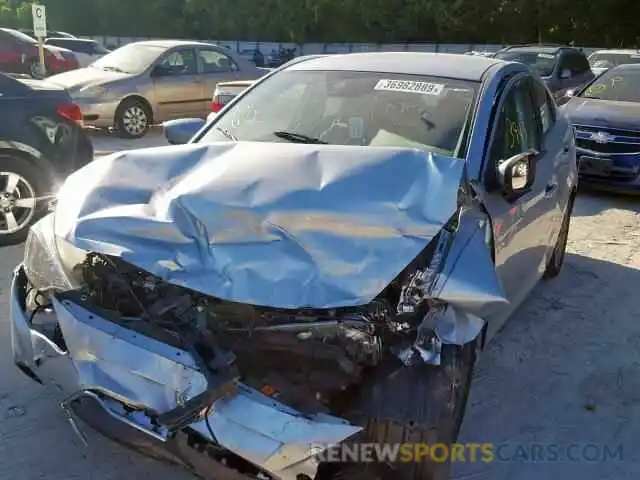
[419, 405]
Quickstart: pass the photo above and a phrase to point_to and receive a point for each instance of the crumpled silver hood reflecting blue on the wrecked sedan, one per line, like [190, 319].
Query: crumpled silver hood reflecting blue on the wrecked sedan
[273, 224]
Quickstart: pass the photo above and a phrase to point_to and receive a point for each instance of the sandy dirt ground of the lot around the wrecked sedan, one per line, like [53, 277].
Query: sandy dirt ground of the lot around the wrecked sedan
[565, 371]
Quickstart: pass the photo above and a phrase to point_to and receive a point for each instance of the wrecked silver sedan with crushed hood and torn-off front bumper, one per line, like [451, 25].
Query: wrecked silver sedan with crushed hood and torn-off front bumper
[320, 265]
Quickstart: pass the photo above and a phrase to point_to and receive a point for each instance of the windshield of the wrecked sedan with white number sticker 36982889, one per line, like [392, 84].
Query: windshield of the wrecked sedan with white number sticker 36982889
[351, 108]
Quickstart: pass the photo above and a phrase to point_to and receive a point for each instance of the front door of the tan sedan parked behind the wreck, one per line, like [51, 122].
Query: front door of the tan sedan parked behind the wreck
[177, 85]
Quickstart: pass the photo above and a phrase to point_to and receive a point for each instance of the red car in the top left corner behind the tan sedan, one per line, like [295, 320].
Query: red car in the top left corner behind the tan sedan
[19, 54]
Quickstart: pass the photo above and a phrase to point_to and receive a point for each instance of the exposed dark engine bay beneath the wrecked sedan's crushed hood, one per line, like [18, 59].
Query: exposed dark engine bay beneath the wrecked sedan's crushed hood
[309, 359]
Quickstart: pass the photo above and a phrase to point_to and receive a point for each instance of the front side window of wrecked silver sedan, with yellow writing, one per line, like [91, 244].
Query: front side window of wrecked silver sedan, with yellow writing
[516, 130]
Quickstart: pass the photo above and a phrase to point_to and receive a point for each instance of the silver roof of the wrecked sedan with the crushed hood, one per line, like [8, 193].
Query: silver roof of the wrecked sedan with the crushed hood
[462, 67]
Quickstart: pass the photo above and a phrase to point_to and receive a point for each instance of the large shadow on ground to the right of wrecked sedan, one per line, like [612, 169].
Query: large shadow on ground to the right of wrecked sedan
[562, 376]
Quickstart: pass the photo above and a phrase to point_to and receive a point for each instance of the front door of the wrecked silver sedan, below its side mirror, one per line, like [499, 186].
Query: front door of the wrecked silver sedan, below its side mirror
[519, 219]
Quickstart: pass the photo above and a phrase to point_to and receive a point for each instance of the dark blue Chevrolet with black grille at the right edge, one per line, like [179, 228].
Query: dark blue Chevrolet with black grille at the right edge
[606, 116]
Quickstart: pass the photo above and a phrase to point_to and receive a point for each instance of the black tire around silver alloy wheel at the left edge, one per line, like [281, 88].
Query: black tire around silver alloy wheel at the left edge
[14, 228]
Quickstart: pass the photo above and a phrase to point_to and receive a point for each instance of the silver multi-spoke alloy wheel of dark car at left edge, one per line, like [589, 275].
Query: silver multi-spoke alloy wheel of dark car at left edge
[17, 202]
